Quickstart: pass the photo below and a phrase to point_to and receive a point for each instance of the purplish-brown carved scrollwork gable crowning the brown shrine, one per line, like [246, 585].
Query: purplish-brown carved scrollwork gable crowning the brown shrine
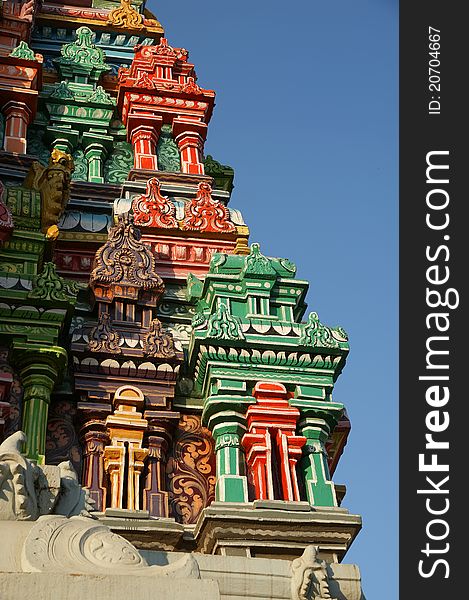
[124, 260]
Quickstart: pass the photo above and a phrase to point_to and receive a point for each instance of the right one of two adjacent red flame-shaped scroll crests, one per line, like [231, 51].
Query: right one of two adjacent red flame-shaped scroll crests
[203, 213]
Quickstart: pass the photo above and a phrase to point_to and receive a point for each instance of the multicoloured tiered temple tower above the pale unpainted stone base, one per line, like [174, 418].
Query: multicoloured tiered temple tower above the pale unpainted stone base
[142, 336]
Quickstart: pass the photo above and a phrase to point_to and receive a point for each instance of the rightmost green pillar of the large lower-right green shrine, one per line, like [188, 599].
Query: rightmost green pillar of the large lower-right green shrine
[317, 421]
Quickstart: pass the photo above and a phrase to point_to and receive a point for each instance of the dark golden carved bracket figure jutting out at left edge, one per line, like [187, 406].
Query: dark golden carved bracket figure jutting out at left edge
[53, 183]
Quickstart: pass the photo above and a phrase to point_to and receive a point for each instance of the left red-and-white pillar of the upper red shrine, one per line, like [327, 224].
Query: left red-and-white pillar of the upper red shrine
[143, 135]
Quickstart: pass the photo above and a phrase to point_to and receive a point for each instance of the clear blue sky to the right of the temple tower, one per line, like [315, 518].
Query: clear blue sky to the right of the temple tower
[307, 114]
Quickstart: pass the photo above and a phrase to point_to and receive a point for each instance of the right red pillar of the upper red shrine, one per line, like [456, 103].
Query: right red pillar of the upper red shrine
[190, 138]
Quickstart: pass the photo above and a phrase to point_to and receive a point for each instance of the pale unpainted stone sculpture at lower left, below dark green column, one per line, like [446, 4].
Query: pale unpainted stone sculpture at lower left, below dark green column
[28, 491]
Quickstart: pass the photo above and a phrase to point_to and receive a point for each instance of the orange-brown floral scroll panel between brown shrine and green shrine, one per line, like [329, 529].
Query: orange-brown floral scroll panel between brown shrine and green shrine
[191, 470]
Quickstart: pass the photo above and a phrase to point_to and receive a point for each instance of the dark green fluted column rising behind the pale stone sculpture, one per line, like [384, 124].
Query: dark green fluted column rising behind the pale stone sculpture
[39, 370]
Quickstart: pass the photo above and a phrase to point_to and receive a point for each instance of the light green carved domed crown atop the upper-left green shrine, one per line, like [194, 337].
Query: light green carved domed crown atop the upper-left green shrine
[81, 60]
